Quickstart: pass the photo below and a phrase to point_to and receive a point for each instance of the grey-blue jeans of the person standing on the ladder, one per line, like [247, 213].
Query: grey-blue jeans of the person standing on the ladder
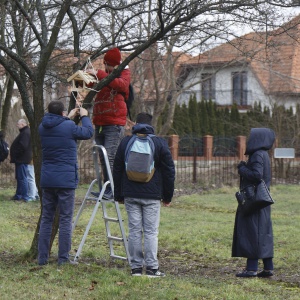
[109, 137]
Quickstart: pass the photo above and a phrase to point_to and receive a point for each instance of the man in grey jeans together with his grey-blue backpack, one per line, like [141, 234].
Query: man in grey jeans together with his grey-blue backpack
[144, 175]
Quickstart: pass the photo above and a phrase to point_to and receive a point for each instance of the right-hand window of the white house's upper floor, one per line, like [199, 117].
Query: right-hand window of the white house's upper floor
[239, 88]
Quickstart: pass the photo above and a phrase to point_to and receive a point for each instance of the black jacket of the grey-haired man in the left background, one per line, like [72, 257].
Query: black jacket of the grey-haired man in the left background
[20, 150]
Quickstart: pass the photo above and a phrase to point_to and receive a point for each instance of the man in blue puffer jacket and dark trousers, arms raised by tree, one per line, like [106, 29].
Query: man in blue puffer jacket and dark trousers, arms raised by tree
[59, 178]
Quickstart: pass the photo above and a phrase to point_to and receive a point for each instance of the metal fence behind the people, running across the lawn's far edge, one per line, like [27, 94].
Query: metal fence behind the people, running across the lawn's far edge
[192, 169]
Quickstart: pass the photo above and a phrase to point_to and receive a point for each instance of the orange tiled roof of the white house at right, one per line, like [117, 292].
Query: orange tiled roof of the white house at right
[274, 57]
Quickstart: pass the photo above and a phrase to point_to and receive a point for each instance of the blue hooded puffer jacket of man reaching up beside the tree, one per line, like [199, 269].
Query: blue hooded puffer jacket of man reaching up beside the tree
[59, 137]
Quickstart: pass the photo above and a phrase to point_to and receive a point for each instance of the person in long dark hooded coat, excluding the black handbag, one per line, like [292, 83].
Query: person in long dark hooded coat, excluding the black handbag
[253, 235]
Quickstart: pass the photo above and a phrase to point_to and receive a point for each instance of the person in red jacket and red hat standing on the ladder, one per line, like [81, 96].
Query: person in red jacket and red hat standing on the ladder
[109, 112]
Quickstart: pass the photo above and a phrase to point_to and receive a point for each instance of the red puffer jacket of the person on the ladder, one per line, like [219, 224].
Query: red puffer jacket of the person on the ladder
[110, 107]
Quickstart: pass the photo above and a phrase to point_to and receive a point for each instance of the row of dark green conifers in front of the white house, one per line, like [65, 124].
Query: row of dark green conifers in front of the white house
[231, 123]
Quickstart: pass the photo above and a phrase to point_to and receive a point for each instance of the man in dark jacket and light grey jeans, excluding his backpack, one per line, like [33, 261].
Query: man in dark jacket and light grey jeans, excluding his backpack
[142, 199]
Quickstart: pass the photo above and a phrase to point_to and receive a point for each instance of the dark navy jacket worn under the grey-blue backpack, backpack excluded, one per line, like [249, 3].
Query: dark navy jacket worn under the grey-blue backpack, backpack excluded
[161, 186]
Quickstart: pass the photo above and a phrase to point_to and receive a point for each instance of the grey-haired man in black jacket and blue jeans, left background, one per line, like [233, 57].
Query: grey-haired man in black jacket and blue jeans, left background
[21, 156]
